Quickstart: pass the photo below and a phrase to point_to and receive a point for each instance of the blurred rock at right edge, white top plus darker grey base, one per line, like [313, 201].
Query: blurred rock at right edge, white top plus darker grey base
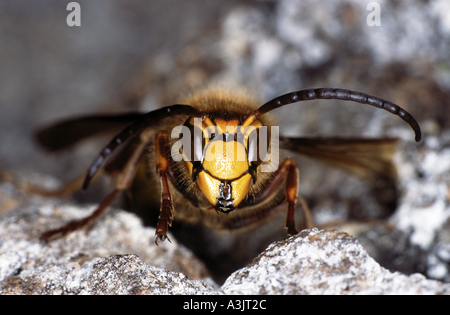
[418, 231]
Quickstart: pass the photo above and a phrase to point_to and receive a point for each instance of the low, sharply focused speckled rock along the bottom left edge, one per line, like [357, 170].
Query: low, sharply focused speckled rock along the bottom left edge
[118, 274]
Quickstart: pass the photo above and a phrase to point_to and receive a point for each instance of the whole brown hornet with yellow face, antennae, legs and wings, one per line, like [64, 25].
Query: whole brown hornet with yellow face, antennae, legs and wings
[219, 197]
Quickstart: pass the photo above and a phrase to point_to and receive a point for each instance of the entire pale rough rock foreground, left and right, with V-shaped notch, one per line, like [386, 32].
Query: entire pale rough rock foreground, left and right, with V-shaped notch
[118, 256]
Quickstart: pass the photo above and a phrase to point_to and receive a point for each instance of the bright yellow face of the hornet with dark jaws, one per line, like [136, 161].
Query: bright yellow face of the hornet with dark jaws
[224, 176]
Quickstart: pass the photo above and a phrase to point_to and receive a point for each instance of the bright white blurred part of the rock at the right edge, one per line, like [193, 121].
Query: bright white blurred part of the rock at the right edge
[424, 175]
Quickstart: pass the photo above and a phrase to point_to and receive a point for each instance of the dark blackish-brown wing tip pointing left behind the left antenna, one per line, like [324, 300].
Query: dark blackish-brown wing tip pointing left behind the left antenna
[69, 132]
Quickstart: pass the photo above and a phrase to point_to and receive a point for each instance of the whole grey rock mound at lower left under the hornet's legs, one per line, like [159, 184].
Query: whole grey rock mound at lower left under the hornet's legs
[29, 266]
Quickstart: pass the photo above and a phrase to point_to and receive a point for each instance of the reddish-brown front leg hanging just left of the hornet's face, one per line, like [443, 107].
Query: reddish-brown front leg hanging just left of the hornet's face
[166, 215]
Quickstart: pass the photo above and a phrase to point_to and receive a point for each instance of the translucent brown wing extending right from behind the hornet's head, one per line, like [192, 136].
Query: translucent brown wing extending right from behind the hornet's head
[370, 159]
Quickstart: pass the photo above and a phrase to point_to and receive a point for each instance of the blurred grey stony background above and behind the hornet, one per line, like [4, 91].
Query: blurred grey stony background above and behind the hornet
[140, 55]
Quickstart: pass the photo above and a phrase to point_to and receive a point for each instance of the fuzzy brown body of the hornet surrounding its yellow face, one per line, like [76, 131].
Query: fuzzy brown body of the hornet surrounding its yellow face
[190, 203]
